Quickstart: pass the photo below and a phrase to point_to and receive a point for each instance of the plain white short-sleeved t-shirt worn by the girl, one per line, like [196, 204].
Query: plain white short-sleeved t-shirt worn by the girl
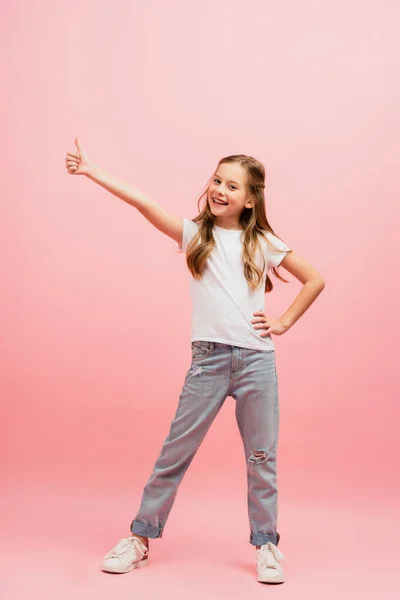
[222, 301]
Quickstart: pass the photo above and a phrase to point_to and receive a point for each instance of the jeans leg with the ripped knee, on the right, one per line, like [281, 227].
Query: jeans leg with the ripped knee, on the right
[255, 389]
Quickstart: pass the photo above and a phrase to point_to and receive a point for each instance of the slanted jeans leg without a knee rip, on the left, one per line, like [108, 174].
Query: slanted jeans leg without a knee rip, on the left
[203, 394]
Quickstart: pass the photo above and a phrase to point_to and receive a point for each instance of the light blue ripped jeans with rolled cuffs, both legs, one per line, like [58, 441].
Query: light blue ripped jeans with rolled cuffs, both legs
[217, 371]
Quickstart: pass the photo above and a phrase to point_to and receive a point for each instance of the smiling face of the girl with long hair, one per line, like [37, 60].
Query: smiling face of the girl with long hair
[228, 185]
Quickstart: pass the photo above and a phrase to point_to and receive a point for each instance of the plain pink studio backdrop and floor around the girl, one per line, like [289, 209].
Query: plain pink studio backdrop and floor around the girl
[95, 318]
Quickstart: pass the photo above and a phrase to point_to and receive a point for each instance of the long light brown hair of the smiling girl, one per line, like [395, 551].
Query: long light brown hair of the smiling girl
[254, 223]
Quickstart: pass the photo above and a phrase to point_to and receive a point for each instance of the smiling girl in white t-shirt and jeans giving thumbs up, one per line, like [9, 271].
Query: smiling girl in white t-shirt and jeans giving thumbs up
[230, 247]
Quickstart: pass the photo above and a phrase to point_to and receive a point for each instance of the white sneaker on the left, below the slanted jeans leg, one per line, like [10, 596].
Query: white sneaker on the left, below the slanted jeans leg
[128, 554]
